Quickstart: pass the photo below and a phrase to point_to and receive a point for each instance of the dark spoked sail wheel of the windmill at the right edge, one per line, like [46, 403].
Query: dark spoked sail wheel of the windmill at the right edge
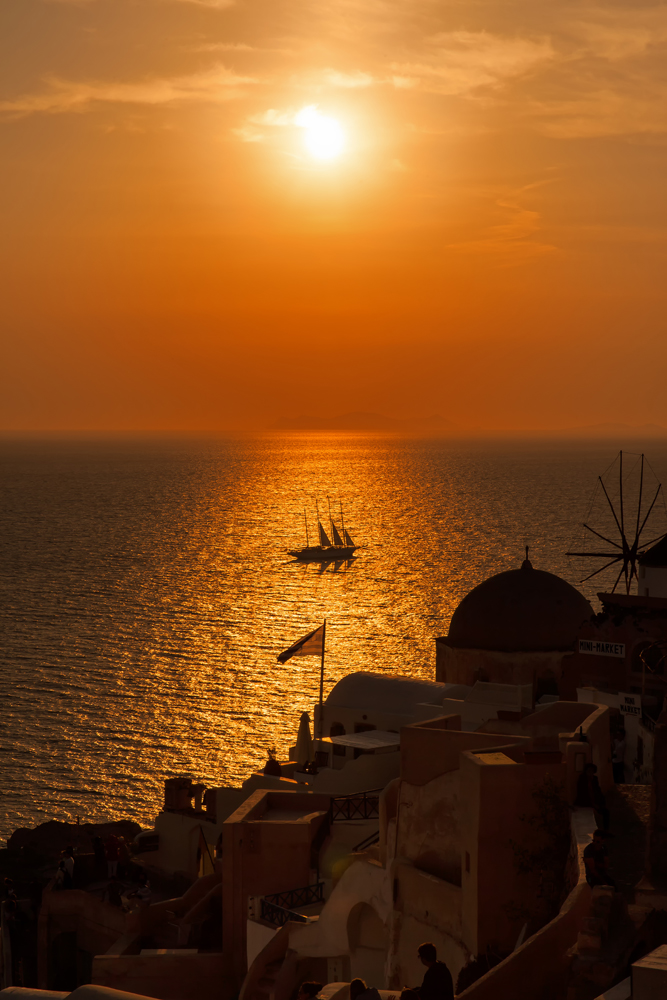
[626, 510]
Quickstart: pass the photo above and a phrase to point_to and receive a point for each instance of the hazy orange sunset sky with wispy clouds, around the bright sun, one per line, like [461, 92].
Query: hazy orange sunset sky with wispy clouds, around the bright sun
[489, 246]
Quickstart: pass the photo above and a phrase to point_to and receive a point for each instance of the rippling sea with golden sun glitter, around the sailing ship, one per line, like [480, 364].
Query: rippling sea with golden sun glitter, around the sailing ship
[146, 589]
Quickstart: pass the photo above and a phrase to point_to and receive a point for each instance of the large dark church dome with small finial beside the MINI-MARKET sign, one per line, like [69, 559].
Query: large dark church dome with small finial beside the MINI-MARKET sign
[521, 610]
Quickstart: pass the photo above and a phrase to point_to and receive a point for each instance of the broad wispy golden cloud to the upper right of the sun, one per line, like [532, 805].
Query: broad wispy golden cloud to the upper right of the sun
[458, 62]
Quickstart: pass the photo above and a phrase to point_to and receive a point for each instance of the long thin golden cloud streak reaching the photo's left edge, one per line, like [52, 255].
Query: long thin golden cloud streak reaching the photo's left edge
[215, 84]
